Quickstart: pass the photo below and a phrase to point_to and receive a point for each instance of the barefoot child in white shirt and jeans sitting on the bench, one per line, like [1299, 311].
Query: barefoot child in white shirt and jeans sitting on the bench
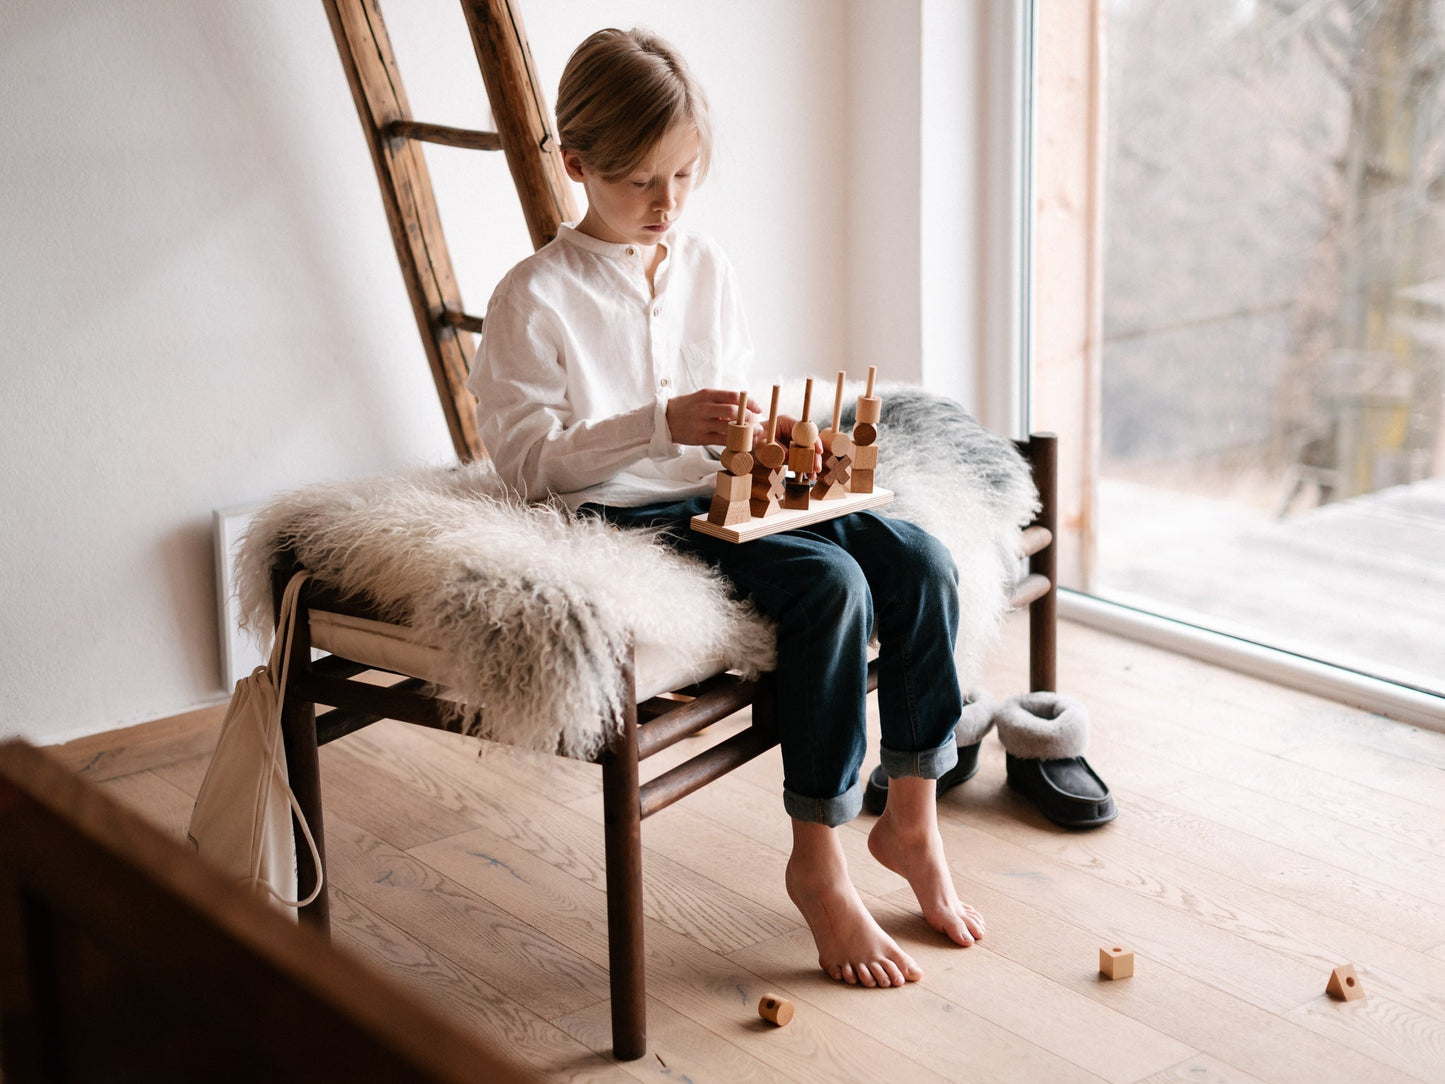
[609, 366]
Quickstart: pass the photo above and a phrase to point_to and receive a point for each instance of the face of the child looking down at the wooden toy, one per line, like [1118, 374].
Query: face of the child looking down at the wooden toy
[642, 207]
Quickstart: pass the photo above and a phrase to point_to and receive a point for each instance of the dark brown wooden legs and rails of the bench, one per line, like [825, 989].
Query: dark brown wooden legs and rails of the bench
[647, 729]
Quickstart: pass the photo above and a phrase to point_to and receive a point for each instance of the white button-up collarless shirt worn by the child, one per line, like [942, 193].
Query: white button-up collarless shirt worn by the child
[579, 361]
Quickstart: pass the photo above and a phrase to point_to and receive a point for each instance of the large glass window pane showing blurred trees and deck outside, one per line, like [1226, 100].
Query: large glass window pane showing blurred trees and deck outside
[1268, 453]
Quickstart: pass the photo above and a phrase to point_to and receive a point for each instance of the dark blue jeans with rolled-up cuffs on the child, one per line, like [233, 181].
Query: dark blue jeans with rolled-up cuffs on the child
[829, 588]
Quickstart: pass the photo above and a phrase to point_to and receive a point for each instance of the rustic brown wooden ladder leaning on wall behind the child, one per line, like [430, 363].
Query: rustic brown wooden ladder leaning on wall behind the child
[524, 134]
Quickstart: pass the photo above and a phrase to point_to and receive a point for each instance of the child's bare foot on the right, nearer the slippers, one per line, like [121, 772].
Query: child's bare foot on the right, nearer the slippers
[907, 840]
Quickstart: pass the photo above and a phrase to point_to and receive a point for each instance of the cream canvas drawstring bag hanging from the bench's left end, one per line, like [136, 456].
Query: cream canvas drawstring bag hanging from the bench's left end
[242, 817]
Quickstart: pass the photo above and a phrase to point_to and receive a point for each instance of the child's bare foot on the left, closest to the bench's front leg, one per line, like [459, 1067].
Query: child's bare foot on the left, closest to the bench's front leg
[852, 946]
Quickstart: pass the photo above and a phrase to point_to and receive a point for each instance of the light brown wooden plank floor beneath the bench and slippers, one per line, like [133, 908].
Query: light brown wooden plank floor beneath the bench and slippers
[1264, 839]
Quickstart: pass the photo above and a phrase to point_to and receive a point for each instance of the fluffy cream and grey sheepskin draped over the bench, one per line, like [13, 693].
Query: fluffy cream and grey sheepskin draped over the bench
[537, 606]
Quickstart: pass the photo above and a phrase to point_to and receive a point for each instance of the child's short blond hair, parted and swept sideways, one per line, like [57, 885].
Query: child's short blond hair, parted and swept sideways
[621, 93]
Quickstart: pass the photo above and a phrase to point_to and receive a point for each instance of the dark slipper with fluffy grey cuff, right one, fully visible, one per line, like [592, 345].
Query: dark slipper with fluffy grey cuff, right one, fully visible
[1045, 735]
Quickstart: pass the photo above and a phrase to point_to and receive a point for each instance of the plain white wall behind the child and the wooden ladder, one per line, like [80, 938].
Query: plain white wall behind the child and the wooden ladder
[202, 306]
